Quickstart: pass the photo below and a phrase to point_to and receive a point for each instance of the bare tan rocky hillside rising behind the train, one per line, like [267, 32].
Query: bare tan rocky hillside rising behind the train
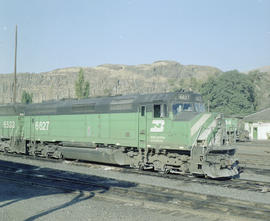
[107, 79]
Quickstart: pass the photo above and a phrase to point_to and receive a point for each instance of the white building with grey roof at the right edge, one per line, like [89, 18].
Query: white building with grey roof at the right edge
[258, 125]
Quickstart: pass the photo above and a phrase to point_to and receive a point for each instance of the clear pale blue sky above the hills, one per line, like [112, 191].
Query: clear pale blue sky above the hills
[227, 34]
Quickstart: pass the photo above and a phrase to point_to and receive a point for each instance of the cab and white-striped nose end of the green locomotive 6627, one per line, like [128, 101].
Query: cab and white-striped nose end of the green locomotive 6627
[191, 135]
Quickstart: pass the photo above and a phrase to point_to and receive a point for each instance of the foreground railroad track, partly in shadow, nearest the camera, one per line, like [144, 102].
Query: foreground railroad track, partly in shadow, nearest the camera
[151, 196]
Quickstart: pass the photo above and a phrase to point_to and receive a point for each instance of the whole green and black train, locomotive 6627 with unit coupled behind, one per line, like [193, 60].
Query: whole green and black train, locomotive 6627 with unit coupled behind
[169, 132]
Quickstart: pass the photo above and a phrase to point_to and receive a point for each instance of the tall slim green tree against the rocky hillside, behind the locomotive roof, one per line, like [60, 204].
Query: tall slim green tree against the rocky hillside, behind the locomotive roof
[82, 87]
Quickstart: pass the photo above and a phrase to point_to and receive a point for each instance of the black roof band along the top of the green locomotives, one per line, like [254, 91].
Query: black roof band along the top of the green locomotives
[121, 103]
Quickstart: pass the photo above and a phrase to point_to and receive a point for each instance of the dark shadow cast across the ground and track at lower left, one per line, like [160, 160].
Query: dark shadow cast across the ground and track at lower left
[24, 186]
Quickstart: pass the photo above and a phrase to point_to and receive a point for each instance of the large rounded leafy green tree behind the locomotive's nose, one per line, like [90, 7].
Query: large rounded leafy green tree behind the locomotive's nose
[230, 93]
